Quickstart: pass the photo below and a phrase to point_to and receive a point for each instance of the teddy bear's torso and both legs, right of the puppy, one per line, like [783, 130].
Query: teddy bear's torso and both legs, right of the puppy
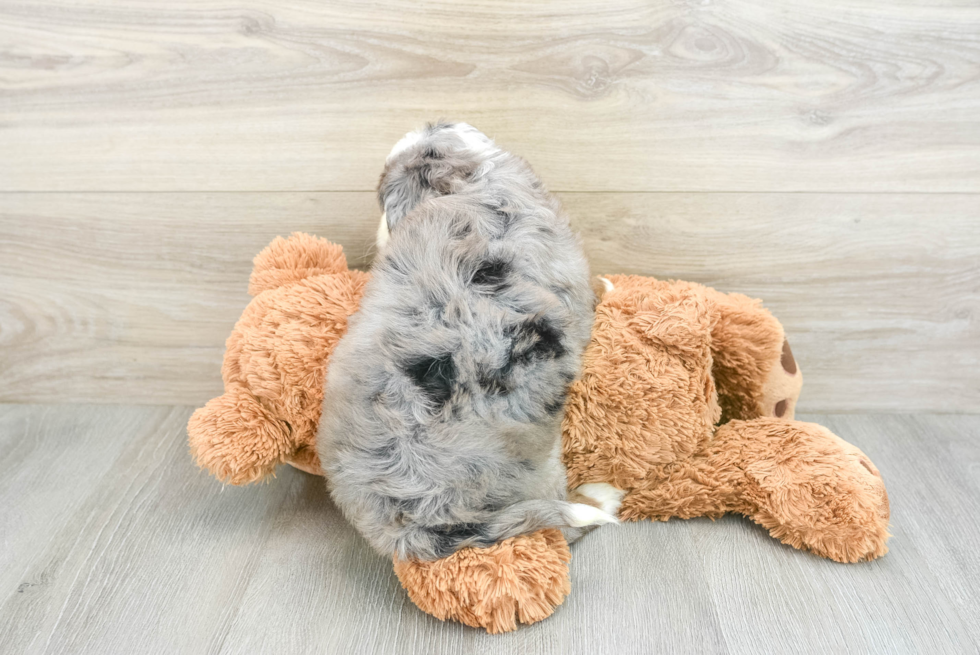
[644, 418]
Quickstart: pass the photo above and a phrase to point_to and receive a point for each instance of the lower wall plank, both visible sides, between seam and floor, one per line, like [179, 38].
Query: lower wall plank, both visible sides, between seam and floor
[130, 297]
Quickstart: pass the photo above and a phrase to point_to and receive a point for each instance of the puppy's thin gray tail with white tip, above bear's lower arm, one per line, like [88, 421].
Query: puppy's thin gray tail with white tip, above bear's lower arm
[438, 541]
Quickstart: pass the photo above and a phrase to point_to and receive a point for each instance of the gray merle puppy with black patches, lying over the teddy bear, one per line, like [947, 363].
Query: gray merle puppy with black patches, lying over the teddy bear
[441, 423]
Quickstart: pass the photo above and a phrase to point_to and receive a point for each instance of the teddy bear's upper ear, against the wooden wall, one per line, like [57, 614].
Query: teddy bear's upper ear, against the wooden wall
[289, 260]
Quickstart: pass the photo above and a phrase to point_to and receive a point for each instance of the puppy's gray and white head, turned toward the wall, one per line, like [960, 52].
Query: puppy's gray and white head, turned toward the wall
[437, 160]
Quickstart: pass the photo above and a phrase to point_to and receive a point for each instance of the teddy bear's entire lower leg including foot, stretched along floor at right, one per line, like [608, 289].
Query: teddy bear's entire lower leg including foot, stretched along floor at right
[808, 487]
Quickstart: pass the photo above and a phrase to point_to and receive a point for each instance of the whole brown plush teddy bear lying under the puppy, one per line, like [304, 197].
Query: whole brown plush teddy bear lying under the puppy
[685, 404]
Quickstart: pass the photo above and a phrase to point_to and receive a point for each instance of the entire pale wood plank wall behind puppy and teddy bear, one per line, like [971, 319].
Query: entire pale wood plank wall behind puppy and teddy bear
[824, 156]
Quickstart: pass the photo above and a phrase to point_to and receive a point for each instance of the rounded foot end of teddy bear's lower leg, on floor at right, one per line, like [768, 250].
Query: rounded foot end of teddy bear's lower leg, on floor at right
[807, 486]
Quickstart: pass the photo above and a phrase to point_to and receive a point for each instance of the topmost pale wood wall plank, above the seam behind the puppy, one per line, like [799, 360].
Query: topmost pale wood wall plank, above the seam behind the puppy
[733, 95]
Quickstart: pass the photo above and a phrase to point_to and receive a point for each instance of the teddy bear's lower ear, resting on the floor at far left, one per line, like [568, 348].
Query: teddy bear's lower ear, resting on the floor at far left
[236, 439]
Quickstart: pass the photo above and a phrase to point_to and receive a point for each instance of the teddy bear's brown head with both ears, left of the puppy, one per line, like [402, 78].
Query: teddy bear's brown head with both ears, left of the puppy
[273, 368]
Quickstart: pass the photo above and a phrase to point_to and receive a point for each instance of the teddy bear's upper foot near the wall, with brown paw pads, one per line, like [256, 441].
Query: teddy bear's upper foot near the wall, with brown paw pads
[754, 369]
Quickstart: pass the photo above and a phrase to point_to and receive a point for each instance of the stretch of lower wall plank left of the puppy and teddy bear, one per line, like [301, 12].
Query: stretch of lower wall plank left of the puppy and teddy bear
[130, 297]
